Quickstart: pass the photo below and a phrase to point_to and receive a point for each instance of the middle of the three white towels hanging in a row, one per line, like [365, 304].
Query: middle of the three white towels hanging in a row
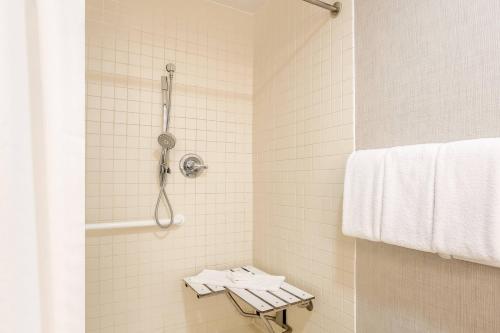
[408, 196]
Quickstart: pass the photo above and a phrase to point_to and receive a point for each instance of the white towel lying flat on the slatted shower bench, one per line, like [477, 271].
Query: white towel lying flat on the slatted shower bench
[239, 280]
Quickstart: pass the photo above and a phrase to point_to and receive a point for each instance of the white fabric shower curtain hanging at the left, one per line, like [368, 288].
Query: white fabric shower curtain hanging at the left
[42, 163]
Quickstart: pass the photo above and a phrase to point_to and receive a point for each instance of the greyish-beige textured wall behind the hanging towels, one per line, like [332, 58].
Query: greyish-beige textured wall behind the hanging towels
[426, 71]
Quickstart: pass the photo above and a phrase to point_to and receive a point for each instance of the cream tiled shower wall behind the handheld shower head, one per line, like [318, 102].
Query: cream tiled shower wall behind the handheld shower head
[134, 277]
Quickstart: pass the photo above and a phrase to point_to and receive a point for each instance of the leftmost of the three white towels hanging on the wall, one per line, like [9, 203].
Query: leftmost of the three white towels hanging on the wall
[363, 194]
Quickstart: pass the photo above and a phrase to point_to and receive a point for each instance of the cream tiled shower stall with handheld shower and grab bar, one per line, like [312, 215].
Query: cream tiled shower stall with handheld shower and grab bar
[175, 86]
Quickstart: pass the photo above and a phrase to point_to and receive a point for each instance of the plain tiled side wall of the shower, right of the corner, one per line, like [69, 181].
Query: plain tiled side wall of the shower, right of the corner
[302, 134]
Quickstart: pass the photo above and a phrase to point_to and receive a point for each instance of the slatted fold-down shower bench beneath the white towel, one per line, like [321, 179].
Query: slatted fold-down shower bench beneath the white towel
[266, 305]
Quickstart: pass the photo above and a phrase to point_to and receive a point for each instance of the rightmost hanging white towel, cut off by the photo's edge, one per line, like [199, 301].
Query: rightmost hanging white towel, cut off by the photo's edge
[467, 208]
